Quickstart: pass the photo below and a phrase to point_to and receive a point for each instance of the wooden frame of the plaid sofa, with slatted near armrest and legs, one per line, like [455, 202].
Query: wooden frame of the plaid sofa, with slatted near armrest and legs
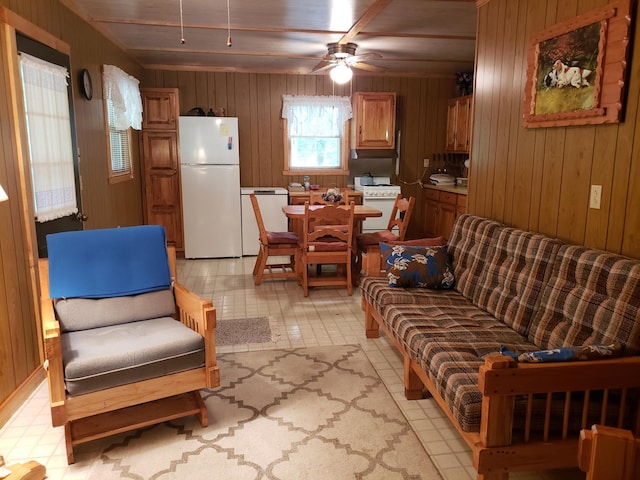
[498, 449]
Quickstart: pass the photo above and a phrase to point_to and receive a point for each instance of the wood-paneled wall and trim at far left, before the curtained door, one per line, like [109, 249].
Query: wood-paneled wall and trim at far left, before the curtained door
[20, 350]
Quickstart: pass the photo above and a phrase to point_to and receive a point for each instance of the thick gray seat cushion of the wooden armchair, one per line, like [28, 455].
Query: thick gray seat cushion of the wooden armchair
[106, 357]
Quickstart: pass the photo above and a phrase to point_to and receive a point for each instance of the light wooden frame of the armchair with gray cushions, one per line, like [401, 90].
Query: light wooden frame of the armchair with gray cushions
[119, 409]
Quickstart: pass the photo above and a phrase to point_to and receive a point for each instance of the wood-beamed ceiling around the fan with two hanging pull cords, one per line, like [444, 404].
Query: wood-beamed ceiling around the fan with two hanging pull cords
[414, 37]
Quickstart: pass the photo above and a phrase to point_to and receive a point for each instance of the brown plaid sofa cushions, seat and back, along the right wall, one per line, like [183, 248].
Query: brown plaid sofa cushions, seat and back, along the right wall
[515, 288]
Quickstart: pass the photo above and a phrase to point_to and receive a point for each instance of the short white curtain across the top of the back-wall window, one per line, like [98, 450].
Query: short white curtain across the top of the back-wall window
[316, 116]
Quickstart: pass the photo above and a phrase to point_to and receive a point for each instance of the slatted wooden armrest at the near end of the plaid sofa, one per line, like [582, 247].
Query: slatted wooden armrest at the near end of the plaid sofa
[502, 379]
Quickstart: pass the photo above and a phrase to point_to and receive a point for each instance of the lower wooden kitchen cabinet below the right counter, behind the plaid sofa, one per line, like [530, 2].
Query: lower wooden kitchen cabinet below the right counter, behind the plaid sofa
[441, 210]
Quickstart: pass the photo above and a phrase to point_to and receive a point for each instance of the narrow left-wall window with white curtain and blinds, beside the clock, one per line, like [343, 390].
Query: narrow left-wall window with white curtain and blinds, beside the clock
[123, 111]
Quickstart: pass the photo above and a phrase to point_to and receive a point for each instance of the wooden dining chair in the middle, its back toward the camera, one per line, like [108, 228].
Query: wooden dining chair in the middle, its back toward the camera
[327, 239]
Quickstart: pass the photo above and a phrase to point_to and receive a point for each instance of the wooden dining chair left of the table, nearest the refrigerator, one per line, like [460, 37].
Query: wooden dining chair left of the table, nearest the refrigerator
[273, 244]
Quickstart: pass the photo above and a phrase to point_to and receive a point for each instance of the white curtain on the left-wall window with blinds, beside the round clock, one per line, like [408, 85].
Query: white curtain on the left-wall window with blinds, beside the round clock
[124, 92]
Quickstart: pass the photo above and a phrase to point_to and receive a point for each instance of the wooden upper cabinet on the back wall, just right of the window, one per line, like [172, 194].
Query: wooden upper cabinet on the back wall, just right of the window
[374, 120]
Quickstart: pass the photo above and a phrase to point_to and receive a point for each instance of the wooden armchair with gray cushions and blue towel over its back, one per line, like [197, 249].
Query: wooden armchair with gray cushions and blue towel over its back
[156, 346]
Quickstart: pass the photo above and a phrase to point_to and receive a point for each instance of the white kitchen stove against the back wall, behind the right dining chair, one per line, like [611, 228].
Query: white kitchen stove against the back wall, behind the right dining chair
[377, 193]
